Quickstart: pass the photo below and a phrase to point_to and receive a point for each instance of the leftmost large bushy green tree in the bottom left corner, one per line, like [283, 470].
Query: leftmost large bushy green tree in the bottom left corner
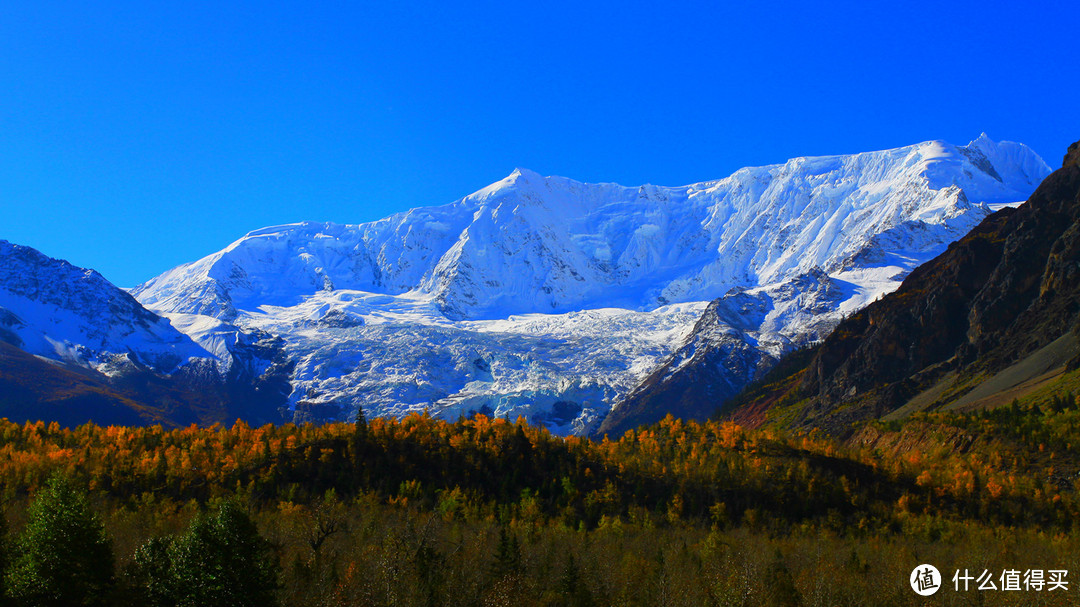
[64, 558]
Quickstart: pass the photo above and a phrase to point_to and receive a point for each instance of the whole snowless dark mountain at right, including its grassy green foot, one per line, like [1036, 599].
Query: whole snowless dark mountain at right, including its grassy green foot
[991, 320]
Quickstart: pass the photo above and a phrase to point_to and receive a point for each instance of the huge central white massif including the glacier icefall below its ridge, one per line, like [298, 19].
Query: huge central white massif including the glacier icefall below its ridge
[552, 299]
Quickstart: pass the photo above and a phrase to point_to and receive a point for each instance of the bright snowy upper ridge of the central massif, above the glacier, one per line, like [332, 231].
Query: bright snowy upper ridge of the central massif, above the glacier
[531, 244]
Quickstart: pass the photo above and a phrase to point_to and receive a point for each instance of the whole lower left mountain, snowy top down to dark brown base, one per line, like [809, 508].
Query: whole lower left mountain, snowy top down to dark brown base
[99, 355]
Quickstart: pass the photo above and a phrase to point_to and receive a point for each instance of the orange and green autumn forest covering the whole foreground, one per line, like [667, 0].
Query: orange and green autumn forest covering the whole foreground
[487, 511]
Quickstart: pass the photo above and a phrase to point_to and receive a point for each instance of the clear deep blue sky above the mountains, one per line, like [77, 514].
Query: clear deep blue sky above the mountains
[137, 138]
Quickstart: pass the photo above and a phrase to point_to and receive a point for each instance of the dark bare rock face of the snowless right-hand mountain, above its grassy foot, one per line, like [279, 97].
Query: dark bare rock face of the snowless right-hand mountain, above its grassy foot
[1006, 290]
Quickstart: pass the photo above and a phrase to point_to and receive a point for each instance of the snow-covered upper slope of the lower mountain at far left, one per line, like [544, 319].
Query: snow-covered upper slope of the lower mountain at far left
[57, 311]
